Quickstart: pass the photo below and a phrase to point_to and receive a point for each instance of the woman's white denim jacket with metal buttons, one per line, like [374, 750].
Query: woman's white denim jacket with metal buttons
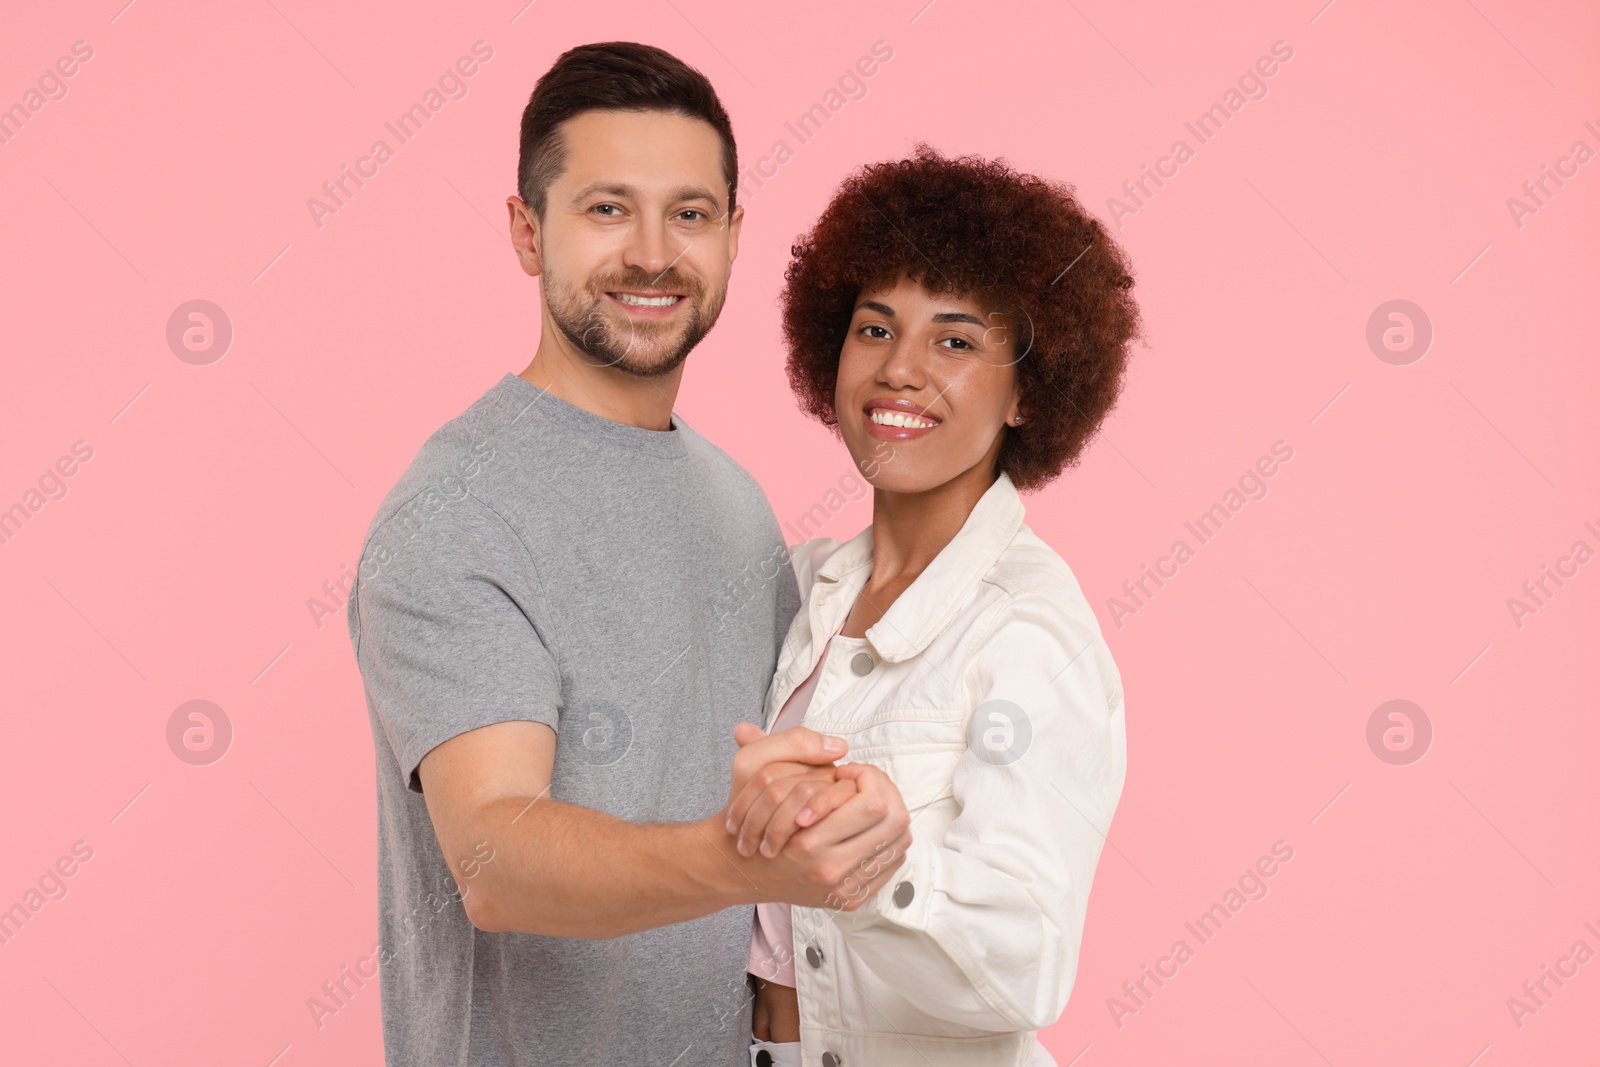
[974, 943]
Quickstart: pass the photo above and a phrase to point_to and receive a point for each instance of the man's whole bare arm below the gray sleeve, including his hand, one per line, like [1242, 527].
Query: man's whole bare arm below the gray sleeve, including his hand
[538, 866]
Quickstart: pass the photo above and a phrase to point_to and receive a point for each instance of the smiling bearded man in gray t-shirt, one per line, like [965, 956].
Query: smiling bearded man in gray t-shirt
[564, 609]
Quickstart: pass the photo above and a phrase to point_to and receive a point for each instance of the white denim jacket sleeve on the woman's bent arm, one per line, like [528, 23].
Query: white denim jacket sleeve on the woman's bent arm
[988, 933]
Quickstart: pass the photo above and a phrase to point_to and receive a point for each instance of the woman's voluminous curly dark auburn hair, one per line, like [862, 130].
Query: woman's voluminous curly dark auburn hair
[1014, 244]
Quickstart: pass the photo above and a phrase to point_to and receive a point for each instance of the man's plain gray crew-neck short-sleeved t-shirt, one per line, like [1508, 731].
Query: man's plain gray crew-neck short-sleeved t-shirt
[628, 588]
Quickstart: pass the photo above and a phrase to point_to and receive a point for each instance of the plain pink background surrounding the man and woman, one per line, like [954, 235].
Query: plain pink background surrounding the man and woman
[1418, 502]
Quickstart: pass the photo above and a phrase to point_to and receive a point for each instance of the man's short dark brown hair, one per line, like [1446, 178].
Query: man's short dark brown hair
[615, 76]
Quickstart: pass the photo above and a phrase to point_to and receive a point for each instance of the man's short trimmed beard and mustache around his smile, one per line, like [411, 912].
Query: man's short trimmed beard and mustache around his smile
[646, 350]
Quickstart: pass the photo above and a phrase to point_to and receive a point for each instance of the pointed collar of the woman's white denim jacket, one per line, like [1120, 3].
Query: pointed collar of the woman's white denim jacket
[946, 586]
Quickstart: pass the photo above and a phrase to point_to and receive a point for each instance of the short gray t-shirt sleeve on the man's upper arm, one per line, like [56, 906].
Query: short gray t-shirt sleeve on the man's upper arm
[446, 628]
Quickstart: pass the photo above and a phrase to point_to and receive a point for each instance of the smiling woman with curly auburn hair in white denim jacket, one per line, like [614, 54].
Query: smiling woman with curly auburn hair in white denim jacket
[964, 329]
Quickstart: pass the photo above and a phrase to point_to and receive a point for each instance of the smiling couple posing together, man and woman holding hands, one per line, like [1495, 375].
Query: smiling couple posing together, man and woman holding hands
[652, 786]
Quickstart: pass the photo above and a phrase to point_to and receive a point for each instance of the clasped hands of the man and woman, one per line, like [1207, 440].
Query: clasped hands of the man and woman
[812, 831]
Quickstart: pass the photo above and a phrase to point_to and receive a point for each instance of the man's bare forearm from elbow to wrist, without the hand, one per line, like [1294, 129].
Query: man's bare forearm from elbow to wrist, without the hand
[564, 871]
